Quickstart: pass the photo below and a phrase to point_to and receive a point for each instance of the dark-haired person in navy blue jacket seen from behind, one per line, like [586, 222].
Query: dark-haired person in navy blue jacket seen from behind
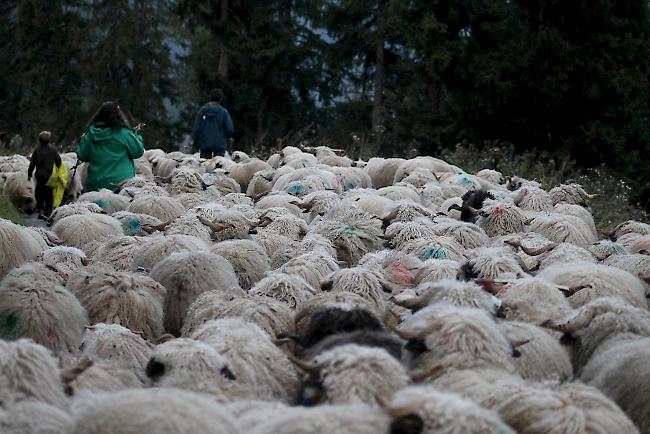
[213, 127]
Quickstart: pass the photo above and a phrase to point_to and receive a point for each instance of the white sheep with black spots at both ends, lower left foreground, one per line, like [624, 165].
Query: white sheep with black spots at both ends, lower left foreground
[195, 366]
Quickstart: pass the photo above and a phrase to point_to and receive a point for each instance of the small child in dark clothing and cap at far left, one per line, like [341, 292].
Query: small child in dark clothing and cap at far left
[43, 160]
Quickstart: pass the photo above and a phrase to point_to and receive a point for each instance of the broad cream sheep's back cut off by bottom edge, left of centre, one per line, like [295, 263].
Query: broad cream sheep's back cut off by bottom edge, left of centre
[167, 411]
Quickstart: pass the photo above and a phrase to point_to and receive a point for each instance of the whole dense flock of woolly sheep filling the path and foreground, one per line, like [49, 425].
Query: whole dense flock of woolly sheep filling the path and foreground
[314, 294]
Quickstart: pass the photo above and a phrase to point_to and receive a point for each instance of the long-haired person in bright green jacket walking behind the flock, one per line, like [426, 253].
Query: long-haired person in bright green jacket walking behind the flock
[109, 146]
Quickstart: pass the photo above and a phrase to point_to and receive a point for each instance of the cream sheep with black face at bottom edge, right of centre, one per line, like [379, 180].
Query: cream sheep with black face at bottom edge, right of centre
[425, 409]
